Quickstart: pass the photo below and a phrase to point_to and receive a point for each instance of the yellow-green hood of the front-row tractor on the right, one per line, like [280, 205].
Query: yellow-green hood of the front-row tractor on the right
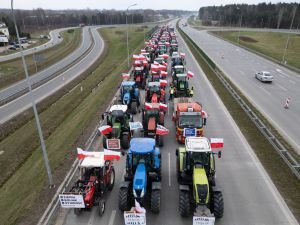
[201, 187]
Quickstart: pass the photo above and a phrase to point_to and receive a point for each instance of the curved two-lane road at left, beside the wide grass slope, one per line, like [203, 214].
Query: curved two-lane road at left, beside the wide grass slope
[22, 103]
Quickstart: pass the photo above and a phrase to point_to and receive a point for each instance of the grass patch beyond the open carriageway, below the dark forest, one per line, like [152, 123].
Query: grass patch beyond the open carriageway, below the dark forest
[271, 44]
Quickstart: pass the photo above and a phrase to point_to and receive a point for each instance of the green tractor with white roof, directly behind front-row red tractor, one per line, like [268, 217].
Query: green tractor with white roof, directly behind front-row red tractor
[118, 119]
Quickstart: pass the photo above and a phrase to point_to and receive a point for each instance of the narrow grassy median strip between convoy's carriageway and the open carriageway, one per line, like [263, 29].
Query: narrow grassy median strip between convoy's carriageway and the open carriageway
[285, 181]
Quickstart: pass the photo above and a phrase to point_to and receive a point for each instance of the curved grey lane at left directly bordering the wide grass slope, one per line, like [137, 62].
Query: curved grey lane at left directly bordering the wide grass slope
[22, 103]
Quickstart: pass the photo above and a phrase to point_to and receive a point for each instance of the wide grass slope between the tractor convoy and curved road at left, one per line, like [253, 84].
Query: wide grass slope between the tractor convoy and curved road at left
[63, 123]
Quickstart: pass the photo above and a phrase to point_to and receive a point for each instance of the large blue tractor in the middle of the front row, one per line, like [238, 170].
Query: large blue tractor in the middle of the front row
[142, 180]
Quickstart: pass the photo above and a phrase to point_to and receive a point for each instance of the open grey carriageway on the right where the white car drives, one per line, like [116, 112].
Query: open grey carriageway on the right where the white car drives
[240, 65]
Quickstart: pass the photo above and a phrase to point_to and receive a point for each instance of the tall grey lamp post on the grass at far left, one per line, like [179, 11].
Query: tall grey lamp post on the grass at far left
[33, 104]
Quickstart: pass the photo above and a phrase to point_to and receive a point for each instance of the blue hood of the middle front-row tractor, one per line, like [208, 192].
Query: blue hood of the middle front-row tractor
[140, 181]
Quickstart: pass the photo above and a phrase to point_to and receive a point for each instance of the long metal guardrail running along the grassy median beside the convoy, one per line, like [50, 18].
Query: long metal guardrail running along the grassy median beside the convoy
[291, 162]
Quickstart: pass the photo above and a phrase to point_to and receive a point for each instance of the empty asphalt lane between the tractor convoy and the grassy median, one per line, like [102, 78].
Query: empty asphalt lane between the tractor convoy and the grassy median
[249, 195]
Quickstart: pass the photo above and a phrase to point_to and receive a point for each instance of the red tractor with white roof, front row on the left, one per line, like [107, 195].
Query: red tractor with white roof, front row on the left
[97, 176]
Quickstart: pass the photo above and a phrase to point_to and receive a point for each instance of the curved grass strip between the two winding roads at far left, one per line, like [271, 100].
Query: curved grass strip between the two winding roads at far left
[12, 71]
